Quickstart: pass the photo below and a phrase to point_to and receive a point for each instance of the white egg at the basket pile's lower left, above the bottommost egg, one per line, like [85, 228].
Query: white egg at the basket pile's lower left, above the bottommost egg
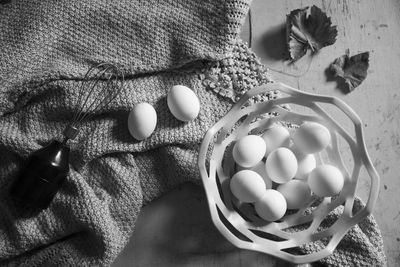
[247, 186]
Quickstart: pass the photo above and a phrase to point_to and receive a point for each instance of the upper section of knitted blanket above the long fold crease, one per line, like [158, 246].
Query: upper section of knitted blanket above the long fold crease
[45, 40]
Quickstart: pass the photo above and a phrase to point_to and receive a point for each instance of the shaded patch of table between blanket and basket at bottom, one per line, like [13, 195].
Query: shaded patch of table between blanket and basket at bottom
[176, 230]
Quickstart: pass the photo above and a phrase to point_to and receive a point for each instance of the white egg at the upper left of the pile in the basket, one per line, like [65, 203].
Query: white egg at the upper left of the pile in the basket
[249, 150]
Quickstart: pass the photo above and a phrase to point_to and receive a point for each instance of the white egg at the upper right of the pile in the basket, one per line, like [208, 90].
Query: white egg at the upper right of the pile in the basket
[311, 137]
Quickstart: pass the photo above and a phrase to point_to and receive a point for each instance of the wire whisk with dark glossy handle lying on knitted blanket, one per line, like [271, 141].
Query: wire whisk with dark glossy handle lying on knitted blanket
[48, 167]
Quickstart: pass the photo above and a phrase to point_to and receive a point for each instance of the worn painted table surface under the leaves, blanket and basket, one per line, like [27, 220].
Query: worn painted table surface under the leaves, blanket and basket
[176, 230]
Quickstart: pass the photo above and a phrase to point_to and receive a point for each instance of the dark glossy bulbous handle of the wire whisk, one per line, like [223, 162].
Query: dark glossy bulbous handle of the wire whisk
[43, 176]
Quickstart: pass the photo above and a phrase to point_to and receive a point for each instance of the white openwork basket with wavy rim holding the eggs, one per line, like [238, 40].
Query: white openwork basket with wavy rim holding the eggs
[238, 222]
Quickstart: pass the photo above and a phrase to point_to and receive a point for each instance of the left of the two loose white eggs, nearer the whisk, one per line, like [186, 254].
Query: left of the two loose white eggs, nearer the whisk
[142, 121]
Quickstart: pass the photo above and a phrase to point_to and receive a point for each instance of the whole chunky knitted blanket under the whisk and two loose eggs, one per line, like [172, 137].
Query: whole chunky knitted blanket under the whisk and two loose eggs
[45, 49]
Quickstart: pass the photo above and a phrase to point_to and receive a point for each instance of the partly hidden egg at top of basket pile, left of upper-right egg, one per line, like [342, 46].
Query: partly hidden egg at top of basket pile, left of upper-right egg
[274, 137]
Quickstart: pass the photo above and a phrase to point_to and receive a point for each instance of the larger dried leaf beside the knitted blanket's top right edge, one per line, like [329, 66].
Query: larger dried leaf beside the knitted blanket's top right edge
[308, 28]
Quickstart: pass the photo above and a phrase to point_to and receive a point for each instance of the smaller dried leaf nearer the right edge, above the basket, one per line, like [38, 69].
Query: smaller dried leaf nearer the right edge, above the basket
[352, 69]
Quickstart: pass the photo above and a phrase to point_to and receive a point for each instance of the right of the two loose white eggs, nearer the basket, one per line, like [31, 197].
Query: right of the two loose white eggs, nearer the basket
[183, 103]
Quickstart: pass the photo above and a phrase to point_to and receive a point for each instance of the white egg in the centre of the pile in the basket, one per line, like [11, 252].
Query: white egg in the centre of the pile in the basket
[281, 165]
